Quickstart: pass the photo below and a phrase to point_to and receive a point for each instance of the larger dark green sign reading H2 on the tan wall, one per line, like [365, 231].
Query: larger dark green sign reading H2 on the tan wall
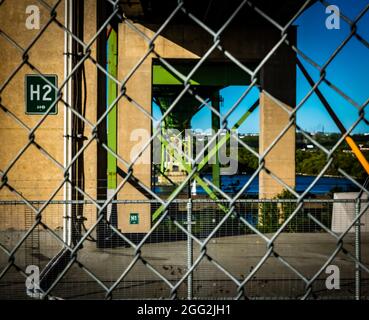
[39, 94]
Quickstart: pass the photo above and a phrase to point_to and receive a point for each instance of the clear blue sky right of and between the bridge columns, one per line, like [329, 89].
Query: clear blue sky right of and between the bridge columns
[349, 71]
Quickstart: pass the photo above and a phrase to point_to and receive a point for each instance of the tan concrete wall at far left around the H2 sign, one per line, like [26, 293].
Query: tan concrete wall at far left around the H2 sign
[34, 175]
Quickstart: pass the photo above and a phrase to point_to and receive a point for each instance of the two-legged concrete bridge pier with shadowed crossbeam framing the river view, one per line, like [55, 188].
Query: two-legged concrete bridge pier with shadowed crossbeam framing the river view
[187, 43]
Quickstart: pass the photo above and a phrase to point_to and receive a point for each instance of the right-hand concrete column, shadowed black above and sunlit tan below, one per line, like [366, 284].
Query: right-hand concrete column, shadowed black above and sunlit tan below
[278, 88]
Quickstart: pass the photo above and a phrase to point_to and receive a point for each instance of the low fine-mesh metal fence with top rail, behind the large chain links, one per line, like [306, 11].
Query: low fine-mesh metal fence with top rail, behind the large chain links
[170, 254]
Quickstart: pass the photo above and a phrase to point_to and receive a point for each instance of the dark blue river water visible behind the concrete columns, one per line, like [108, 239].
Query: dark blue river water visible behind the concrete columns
[232, 184]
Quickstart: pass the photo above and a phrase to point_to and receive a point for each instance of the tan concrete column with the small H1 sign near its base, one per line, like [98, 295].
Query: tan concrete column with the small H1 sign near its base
[134, 129]
